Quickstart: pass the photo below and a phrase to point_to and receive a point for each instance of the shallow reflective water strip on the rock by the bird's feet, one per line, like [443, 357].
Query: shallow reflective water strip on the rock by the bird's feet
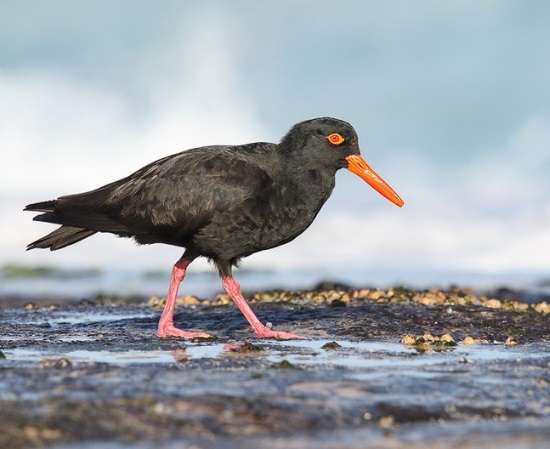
[352, 354]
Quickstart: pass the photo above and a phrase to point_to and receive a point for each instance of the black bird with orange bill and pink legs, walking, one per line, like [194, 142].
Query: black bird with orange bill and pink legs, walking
[220, 202]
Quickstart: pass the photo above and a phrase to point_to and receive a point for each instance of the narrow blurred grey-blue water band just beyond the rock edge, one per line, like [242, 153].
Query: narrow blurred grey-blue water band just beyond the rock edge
[51, 282]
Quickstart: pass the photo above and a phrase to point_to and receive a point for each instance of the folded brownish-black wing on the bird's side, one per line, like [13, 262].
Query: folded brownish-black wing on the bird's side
[181, 192]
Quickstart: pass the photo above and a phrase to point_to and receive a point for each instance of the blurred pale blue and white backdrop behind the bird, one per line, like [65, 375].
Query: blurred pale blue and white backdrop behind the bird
[451, 101]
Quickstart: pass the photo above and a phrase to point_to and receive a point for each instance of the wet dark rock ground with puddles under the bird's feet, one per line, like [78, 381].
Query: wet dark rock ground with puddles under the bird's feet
[374, 369]
